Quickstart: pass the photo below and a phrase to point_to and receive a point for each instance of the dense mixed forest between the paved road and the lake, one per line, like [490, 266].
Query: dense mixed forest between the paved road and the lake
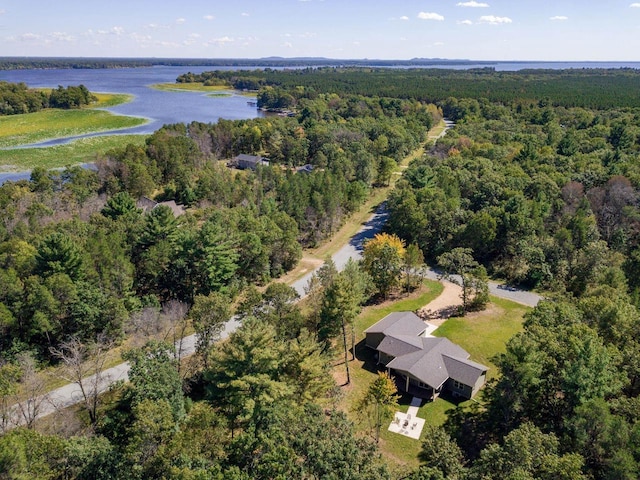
[79, 257]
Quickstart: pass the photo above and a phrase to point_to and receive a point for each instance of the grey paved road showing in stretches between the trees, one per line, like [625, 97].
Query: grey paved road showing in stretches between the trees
[70, 394]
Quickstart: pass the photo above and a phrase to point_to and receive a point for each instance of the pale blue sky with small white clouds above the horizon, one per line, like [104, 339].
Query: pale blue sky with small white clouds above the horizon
[503, 30]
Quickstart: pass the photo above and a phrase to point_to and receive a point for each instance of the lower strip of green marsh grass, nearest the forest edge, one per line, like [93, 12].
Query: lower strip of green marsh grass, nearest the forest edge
[79, 151]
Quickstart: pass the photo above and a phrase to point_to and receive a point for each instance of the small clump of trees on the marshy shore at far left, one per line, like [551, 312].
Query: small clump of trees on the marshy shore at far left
[17, 98]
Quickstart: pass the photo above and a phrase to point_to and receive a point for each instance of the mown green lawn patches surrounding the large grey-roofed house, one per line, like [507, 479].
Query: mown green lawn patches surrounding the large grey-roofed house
[482, 334]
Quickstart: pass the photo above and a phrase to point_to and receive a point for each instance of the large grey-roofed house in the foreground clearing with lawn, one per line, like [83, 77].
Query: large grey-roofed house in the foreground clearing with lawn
[423, 365]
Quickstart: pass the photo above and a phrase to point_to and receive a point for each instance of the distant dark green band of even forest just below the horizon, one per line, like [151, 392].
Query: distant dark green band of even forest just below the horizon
[588, 88]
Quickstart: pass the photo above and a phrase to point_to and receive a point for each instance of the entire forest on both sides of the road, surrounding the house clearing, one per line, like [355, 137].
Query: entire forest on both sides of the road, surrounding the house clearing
[542, 192]
